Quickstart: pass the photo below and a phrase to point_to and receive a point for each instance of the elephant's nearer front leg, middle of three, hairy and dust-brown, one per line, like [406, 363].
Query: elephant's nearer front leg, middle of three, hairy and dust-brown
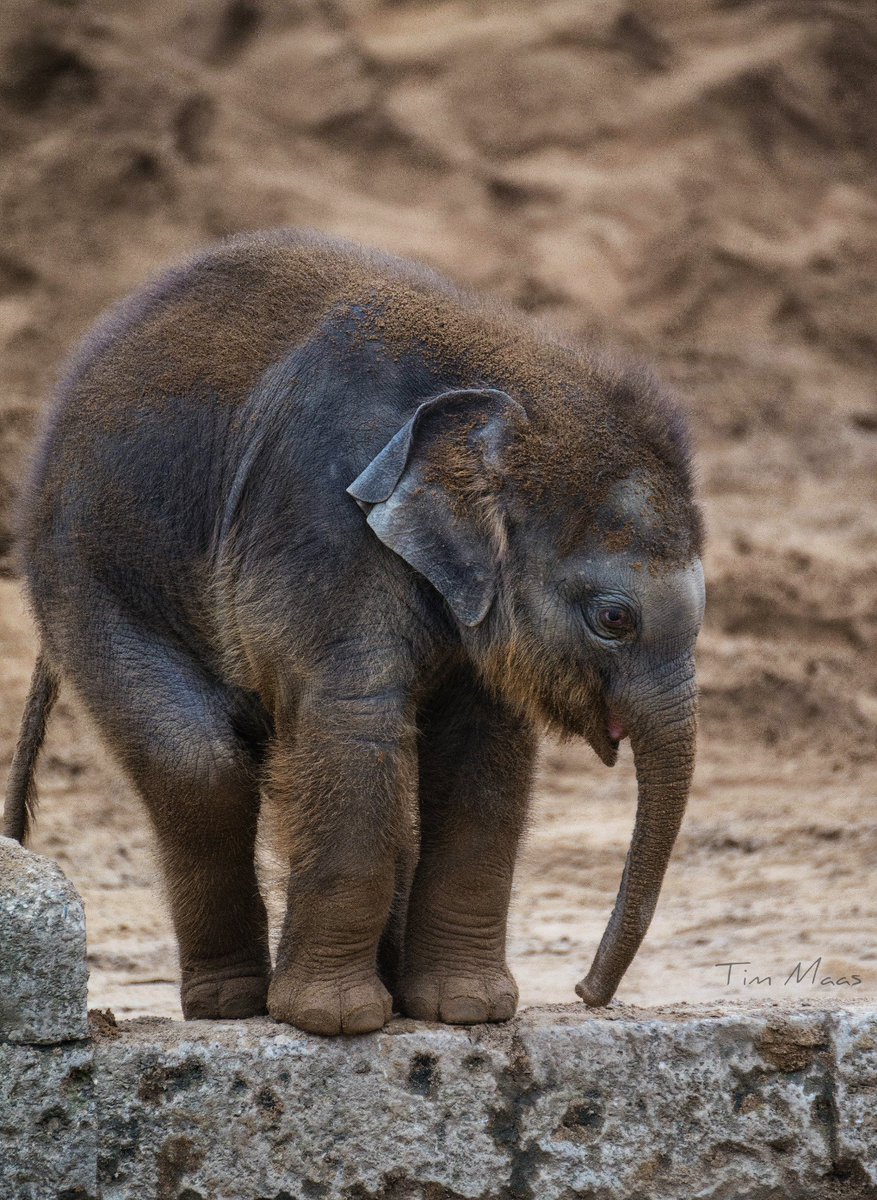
[341, 788]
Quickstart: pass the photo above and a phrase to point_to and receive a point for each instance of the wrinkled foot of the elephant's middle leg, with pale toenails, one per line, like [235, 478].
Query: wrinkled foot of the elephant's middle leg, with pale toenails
[329, 1007]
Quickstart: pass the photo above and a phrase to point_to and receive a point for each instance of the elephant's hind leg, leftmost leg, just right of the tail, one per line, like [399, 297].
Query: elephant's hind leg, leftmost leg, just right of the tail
[177, 733]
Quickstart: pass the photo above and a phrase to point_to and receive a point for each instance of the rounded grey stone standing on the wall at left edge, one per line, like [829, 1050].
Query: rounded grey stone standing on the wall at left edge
[44, 977]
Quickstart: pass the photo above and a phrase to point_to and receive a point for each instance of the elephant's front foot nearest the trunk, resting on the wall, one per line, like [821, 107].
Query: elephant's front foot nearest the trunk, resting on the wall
[459, 999]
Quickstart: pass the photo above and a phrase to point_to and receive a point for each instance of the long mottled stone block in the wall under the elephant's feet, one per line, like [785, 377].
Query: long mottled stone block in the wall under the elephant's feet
[244, 1111]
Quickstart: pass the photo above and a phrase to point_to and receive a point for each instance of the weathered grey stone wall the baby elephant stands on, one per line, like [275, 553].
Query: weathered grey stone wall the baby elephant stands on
[759, 1102]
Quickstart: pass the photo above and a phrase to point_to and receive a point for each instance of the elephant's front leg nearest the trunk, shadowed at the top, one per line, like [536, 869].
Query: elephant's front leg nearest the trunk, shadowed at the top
[476, 772]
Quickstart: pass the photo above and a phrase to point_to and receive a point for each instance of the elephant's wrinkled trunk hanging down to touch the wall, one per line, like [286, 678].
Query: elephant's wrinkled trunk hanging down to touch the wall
[664, 755]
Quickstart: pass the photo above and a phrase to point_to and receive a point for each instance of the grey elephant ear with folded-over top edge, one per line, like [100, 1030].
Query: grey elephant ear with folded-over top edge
[433, 494]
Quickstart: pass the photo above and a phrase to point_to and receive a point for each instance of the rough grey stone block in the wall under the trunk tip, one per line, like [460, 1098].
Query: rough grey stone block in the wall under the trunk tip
[726, 1107]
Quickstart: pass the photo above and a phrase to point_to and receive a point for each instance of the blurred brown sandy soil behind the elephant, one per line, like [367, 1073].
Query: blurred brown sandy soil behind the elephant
[694, 182]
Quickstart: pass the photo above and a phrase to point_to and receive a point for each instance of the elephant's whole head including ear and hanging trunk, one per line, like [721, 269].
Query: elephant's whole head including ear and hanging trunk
[567, 544]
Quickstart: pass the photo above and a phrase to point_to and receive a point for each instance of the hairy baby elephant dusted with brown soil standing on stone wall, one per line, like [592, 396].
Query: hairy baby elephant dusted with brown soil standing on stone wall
[310, 525]
